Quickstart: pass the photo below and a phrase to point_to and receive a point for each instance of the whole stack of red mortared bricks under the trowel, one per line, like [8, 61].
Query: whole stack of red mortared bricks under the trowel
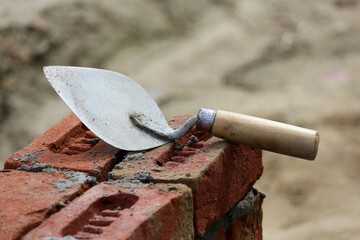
[69, 184]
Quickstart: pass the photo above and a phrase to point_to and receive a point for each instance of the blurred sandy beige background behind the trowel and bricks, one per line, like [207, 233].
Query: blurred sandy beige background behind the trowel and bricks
[292, 61]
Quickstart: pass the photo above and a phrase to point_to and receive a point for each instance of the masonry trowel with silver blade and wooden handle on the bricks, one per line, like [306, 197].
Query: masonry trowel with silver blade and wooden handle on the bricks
[120, 112]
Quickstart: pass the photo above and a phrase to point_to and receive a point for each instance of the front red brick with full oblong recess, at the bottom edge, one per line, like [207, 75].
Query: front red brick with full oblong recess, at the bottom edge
[158, 211]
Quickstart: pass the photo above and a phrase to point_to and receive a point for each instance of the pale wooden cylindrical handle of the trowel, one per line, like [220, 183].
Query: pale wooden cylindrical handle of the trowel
[266, 134]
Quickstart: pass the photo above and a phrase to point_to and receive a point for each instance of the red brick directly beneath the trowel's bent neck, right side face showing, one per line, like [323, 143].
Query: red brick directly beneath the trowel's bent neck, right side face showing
[218, 172]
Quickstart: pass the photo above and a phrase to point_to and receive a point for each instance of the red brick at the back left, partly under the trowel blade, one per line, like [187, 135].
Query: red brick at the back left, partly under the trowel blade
[68, 145]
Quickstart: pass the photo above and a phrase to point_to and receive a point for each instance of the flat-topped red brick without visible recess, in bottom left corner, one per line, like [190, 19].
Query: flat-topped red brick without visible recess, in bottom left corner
[26, 199]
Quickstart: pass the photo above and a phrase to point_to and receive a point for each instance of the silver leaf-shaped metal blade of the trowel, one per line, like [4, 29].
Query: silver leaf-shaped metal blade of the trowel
[103, 100]
